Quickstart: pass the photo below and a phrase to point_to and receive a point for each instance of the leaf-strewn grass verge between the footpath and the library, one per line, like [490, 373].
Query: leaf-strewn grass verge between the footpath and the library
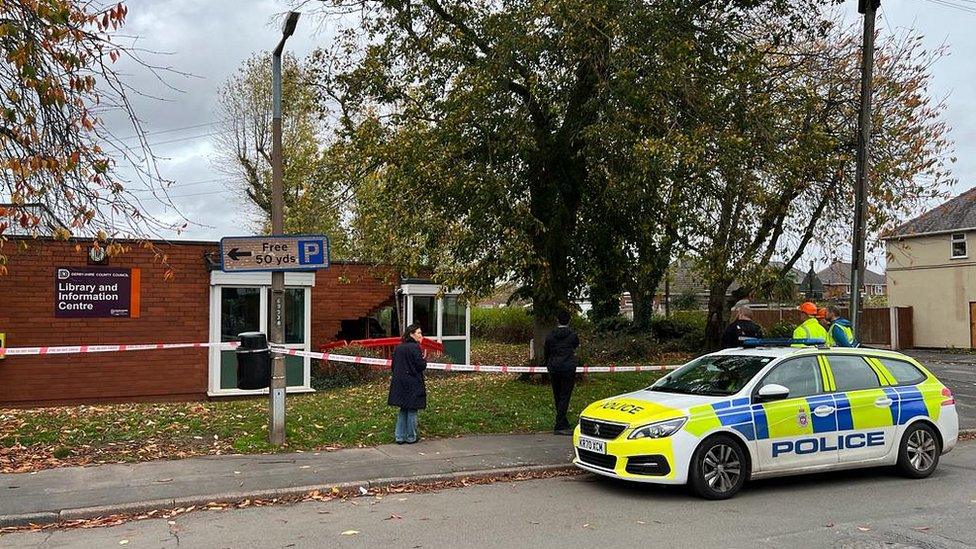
[458, 404]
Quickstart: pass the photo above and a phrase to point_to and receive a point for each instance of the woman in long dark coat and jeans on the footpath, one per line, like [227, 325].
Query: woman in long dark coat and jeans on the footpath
[407, 389]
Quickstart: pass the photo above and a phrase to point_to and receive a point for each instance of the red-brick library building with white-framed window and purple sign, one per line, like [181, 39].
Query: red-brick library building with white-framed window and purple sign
[199, 303]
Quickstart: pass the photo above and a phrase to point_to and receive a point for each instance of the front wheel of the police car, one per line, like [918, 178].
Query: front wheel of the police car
[718, 468]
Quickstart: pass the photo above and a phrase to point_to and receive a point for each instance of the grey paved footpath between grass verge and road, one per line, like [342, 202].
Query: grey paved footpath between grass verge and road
[86, 492]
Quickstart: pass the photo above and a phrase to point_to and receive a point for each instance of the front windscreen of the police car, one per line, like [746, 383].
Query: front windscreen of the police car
[712, 375]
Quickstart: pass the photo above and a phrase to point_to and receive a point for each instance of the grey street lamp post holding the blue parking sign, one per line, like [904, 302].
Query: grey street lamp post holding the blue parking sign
[276, 427]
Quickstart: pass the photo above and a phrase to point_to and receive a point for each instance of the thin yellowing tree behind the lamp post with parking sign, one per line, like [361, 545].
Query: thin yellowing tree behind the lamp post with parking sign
[313, 203]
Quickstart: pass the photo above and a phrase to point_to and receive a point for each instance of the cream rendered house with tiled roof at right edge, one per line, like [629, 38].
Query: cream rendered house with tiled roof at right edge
[931, 269]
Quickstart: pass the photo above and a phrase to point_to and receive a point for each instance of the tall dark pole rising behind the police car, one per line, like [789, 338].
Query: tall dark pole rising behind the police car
[869, 9]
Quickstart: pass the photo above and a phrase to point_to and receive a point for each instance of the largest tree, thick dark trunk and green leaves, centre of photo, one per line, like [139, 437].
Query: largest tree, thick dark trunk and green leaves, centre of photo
[478, 127]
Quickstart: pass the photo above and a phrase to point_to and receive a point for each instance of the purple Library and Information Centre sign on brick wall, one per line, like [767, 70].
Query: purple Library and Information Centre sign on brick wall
[96, 292]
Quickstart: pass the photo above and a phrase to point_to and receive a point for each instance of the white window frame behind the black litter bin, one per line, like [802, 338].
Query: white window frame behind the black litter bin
[220, 280]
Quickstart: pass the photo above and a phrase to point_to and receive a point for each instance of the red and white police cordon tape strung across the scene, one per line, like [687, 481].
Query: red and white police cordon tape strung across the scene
[353, 359]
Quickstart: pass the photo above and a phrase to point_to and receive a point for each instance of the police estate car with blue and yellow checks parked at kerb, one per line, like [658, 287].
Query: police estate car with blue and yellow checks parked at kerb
[767, 410]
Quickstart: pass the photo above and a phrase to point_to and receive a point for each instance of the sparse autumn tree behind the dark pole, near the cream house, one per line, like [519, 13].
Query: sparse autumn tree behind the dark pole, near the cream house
[783, 169]
